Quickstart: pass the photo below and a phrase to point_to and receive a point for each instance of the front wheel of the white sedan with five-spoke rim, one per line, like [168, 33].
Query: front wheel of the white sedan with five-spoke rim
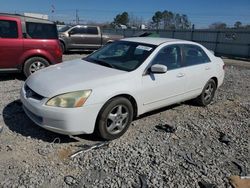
[114, 118]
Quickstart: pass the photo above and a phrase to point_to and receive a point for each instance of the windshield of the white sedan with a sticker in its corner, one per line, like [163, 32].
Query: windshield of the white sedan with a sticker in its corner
[122, 55]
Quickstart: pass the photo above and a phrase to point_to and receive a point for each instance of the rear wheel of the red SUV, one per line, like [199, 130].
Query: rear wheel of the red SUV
[34, 64]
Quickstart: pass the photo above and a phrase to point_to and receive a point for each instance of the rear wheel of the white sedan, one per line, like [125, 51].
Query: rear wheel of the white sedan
[207, 94]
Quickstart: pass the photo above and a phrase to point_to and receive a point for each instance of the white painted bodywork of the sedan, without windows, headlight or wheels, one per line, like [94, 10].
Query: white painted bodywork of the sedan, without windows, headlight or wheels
[150, 91]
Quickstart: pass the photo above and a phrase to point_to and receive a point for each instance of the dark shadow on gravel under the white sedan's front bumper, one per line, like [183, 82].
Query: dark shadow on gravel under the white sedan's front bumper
[17, 121]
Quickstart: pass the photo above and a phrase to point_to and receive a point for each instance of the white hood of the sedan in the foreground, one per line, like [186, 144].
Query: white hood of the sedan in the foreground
[71, 76]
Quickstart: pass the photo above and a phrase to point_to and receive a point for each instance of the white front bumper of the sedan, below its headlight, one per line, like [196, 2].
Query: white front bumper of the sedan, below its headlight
[69, 121]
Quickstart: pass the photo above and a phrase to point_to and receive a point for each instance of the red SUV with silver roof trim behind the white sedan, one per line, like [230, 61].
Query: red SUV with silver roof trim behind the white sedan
[27, 44]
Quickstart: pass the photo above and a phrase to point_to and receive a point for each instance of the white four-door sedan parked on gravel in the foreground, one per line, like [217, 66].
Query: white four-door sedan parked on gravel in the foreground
[108, 89]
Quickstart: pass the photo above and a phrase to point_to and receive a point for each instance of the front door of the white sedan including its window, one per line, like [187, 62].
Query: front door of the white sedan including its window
[164, 89]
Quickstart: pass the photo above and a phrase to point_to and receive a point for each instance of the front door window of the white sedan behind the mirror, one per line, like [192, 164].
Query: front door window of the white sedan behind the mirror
[169, 56]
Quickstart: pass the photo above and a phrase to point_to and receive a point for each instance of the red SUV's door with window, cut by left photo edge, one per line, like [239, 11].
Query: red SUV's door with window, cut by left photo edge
[11, 42]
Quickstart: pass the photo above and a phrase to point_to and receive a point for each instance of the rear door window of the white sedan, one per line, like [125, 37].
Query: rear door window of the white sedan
[194, 55]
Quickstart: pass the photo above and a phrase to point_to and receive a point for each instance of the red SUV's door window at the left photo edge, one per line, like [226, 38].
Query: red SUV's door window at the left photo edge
[8, 29]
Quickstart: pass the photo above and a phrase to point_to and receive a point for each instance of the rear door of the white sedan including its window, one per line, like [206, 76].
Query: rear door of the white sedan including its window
[197, 67]
